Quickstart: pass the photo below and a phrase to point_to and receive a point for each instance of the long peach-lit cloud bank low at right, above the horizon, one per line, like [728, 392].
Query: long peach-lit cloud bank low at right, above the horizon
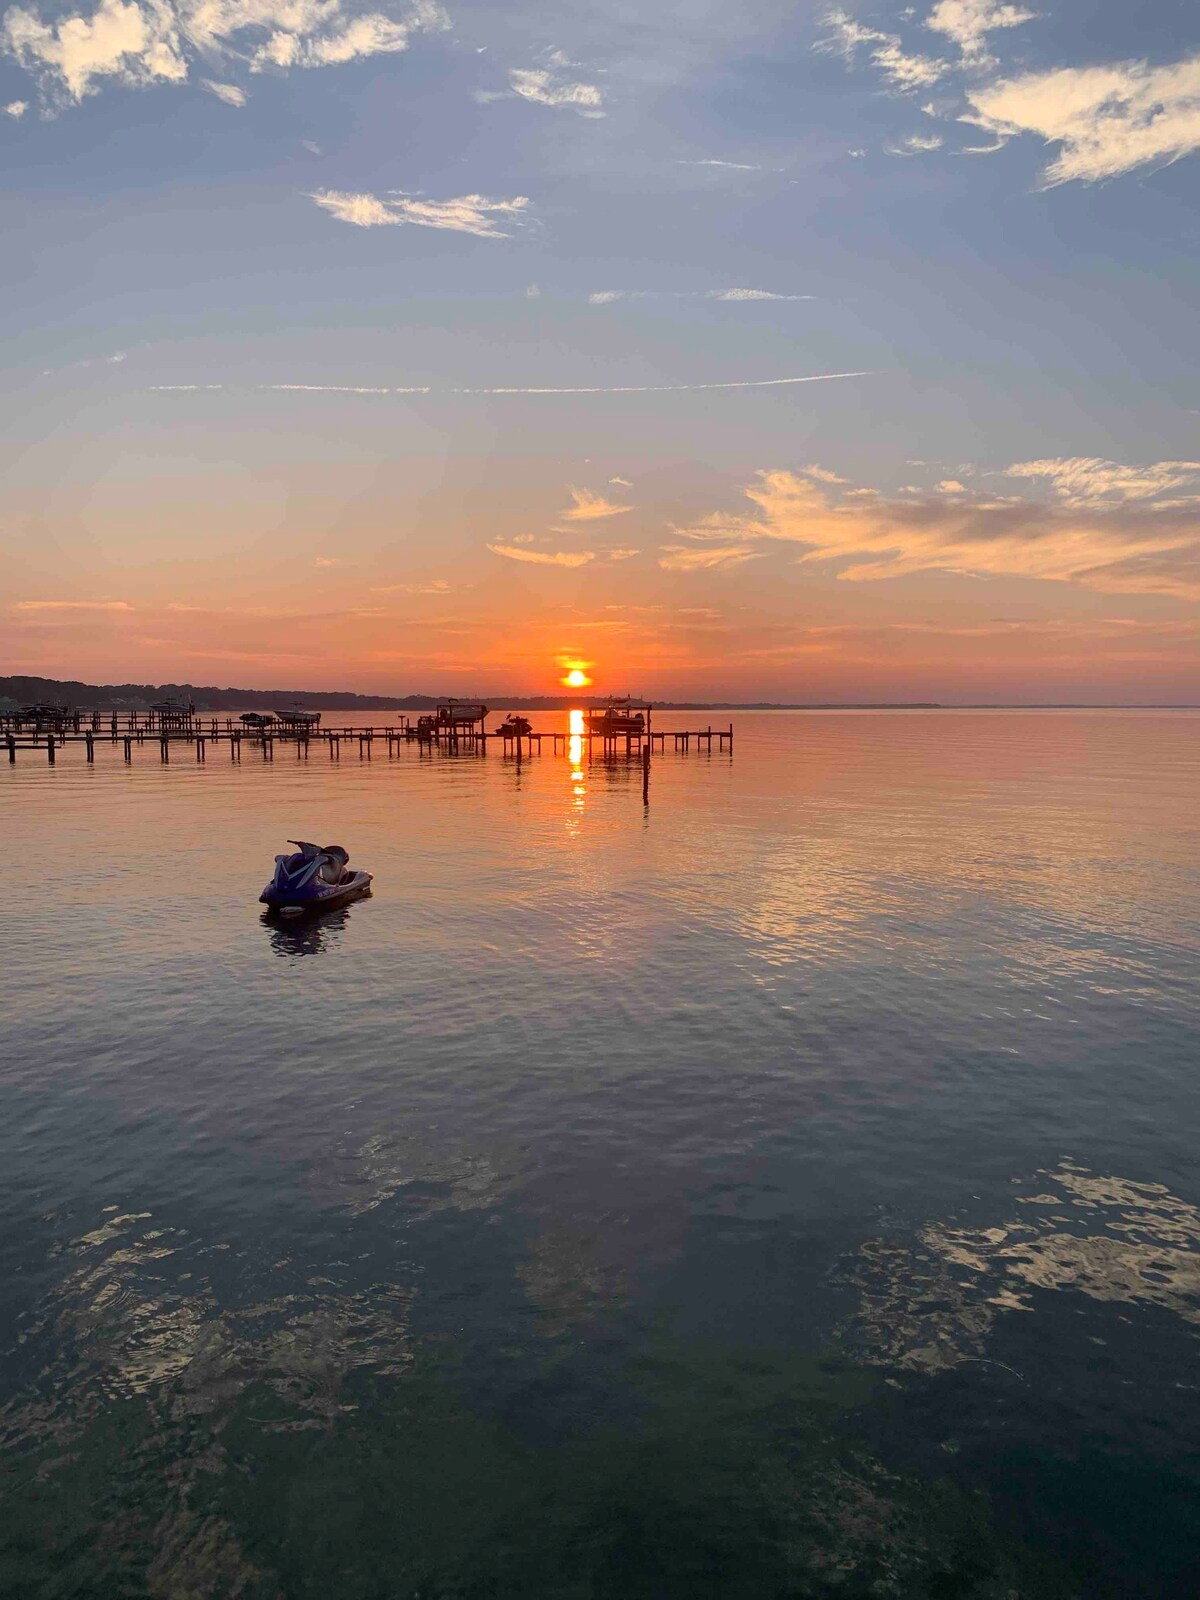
[1129, 550]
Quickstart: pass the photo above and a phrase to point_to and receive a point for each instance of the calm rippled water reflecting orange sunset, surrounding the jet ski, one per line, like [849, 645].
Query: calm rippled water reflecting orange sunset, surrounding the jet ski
[785, 1190]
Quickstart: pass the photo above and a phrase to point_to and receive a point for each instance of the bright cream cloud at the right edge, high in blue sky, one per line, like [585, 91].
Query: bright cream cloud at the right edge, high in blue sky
[1108, 121]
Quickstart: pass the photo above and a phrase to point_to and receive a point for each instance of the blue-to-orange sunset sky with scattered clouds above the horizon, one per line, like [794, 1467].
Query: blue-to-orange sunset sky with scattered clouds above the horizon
[772, 351]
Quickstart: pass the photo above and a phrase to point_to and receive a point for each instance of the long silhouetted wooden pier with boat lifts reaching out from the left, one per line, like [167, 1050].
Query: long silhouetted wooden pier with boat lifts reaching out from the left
[457, 727]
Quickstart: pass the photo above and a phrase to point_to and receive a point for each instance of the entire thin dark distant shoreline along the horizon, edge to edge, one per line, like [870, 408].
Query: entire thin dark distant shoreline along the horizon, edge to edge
[210, 698]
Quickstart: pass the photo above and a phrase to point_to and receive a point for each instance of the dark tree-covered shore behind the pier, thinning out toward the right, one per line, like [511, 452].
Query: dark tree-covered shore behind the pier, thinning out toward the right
[140, 697]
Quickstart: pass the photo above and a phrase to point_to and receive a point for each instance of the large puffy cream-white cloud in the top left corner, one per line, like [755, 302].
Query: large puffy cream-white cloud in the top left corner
[138, 42]
